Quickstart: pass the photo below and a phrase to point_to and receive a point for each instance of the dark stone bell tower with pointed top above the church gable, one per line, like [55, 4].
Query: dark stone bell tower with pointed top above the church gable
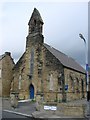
[35, 29]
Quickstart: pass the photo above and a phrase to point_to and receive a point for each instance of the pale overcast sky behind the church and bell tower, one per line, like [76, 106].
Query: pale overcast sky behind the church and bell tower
[63, 21]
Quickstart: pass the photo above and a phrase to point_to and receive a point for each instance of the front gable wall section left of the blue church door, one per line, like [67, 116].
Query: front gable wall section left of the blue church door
[20, 78]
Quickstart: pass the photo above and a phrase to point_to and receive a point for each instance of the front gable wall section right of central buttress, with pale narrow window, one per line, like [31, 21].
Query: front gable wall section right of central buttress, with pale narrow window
[52, 70]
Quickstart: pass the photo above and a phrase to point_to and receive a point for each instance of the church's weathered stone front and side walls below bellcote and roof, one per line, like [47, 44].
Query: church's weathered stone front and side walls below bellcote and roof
[48, 76]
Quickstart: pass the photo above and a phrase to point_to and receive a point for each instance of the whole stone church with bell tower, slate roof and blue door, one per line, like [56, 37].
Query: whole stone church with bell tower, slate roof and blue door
[45, 73]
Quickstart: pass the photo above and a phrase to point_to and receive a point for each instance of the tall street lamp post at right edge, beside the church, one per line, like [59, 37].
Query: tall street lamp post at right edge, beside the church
[87, 74]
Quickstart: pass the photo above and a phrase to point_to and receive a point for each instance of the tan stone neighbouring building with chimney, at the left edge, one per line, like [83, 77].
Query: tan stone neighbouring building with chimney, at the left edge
[6, 65]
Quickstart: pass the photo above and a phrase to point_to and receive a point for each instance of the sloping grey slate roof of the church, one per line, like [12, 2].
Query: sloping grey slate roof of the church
[65, 60]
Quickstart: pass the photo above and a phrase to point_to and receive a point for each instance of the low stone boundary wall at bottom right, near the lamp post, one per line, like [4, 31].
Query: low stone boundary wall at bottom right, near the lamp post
[71, 109]
